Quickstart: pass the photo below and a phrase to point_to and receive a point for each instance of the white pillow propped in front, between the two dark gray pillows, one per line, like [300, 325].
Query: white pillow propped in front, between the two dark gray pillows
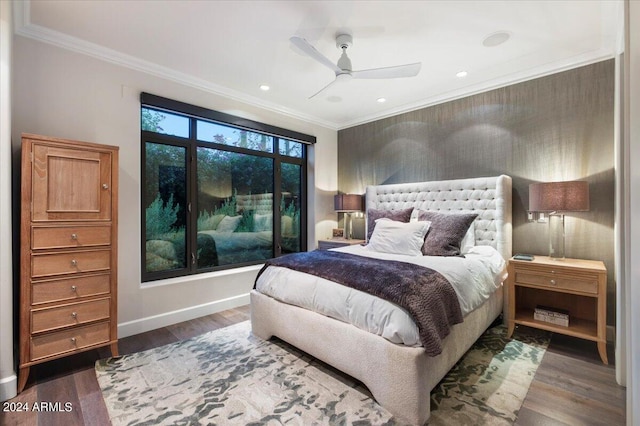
[390, 236]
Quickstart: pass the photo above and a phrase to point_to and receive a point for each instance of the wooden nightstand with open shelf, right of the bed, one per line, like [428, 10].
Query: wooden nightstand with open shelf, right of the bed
[573, 285]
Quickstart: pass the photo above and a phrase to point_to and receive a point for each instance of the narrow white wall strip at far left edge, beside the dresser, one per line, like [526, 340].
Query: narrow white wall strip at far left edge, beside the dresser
[8, 381]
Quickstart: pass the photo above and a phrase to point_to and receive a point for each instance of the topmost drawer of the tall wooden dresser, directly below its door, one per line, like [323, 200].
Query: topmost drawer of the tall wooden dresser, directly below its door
[45, 237]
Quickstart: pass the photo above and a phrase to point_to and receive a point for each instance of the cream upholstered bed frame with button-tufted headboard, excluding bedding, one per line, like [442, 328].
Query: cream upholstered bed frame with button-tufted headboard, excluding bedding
[400, 376]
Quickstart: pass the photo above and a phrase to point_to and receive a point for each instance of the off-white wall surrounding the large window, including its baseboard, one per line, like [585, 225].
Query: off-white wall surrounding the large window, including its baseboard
[68, 95]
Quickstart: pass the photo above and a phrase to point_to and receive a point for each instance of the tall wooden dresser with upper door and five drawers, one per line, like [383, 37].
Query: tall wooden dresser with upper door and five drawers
[68, 253]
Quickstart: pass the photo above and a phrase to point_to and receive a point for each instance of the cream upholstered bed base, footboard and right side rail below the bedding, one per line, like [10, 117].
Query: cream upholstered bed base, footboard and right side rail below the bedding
[399, 377]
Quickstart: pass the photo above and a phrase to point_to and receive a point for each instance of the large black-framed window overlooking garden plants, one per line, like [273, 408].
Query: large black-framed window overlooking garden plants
[219, 191]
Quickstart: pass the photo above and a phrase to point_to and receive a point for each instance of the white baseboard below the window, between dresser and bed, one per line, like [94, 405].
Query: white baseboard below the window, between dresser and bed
[143, 325]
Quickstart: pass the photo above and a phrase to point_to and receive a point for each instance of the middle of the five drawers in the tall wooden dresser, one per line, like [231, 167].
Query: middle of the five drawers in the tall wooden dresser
[69, 288]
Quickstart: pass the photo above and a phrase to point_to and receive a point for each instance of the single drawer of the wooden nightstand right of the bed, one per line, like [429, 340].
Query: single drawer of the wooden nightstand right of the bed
[585, 283]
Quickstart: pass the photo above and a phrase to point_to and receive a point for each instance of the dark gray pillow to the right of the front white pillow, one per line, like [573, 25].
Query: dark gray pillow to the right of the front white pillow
[446, 232]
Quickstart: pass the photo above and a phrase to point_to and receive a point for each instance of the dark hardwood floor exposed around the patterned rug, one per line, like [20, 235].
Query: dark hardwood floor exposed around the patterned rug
[571, 386]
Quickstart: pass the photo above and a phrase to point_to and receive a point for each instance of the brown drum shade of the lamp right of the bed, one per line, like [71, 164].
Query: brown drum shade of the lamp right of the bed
[570, 196]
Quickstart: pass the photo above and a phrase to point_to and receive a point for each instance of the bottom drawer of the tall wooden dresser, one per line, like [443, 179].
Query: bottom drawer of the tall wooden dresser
[61, 342]
